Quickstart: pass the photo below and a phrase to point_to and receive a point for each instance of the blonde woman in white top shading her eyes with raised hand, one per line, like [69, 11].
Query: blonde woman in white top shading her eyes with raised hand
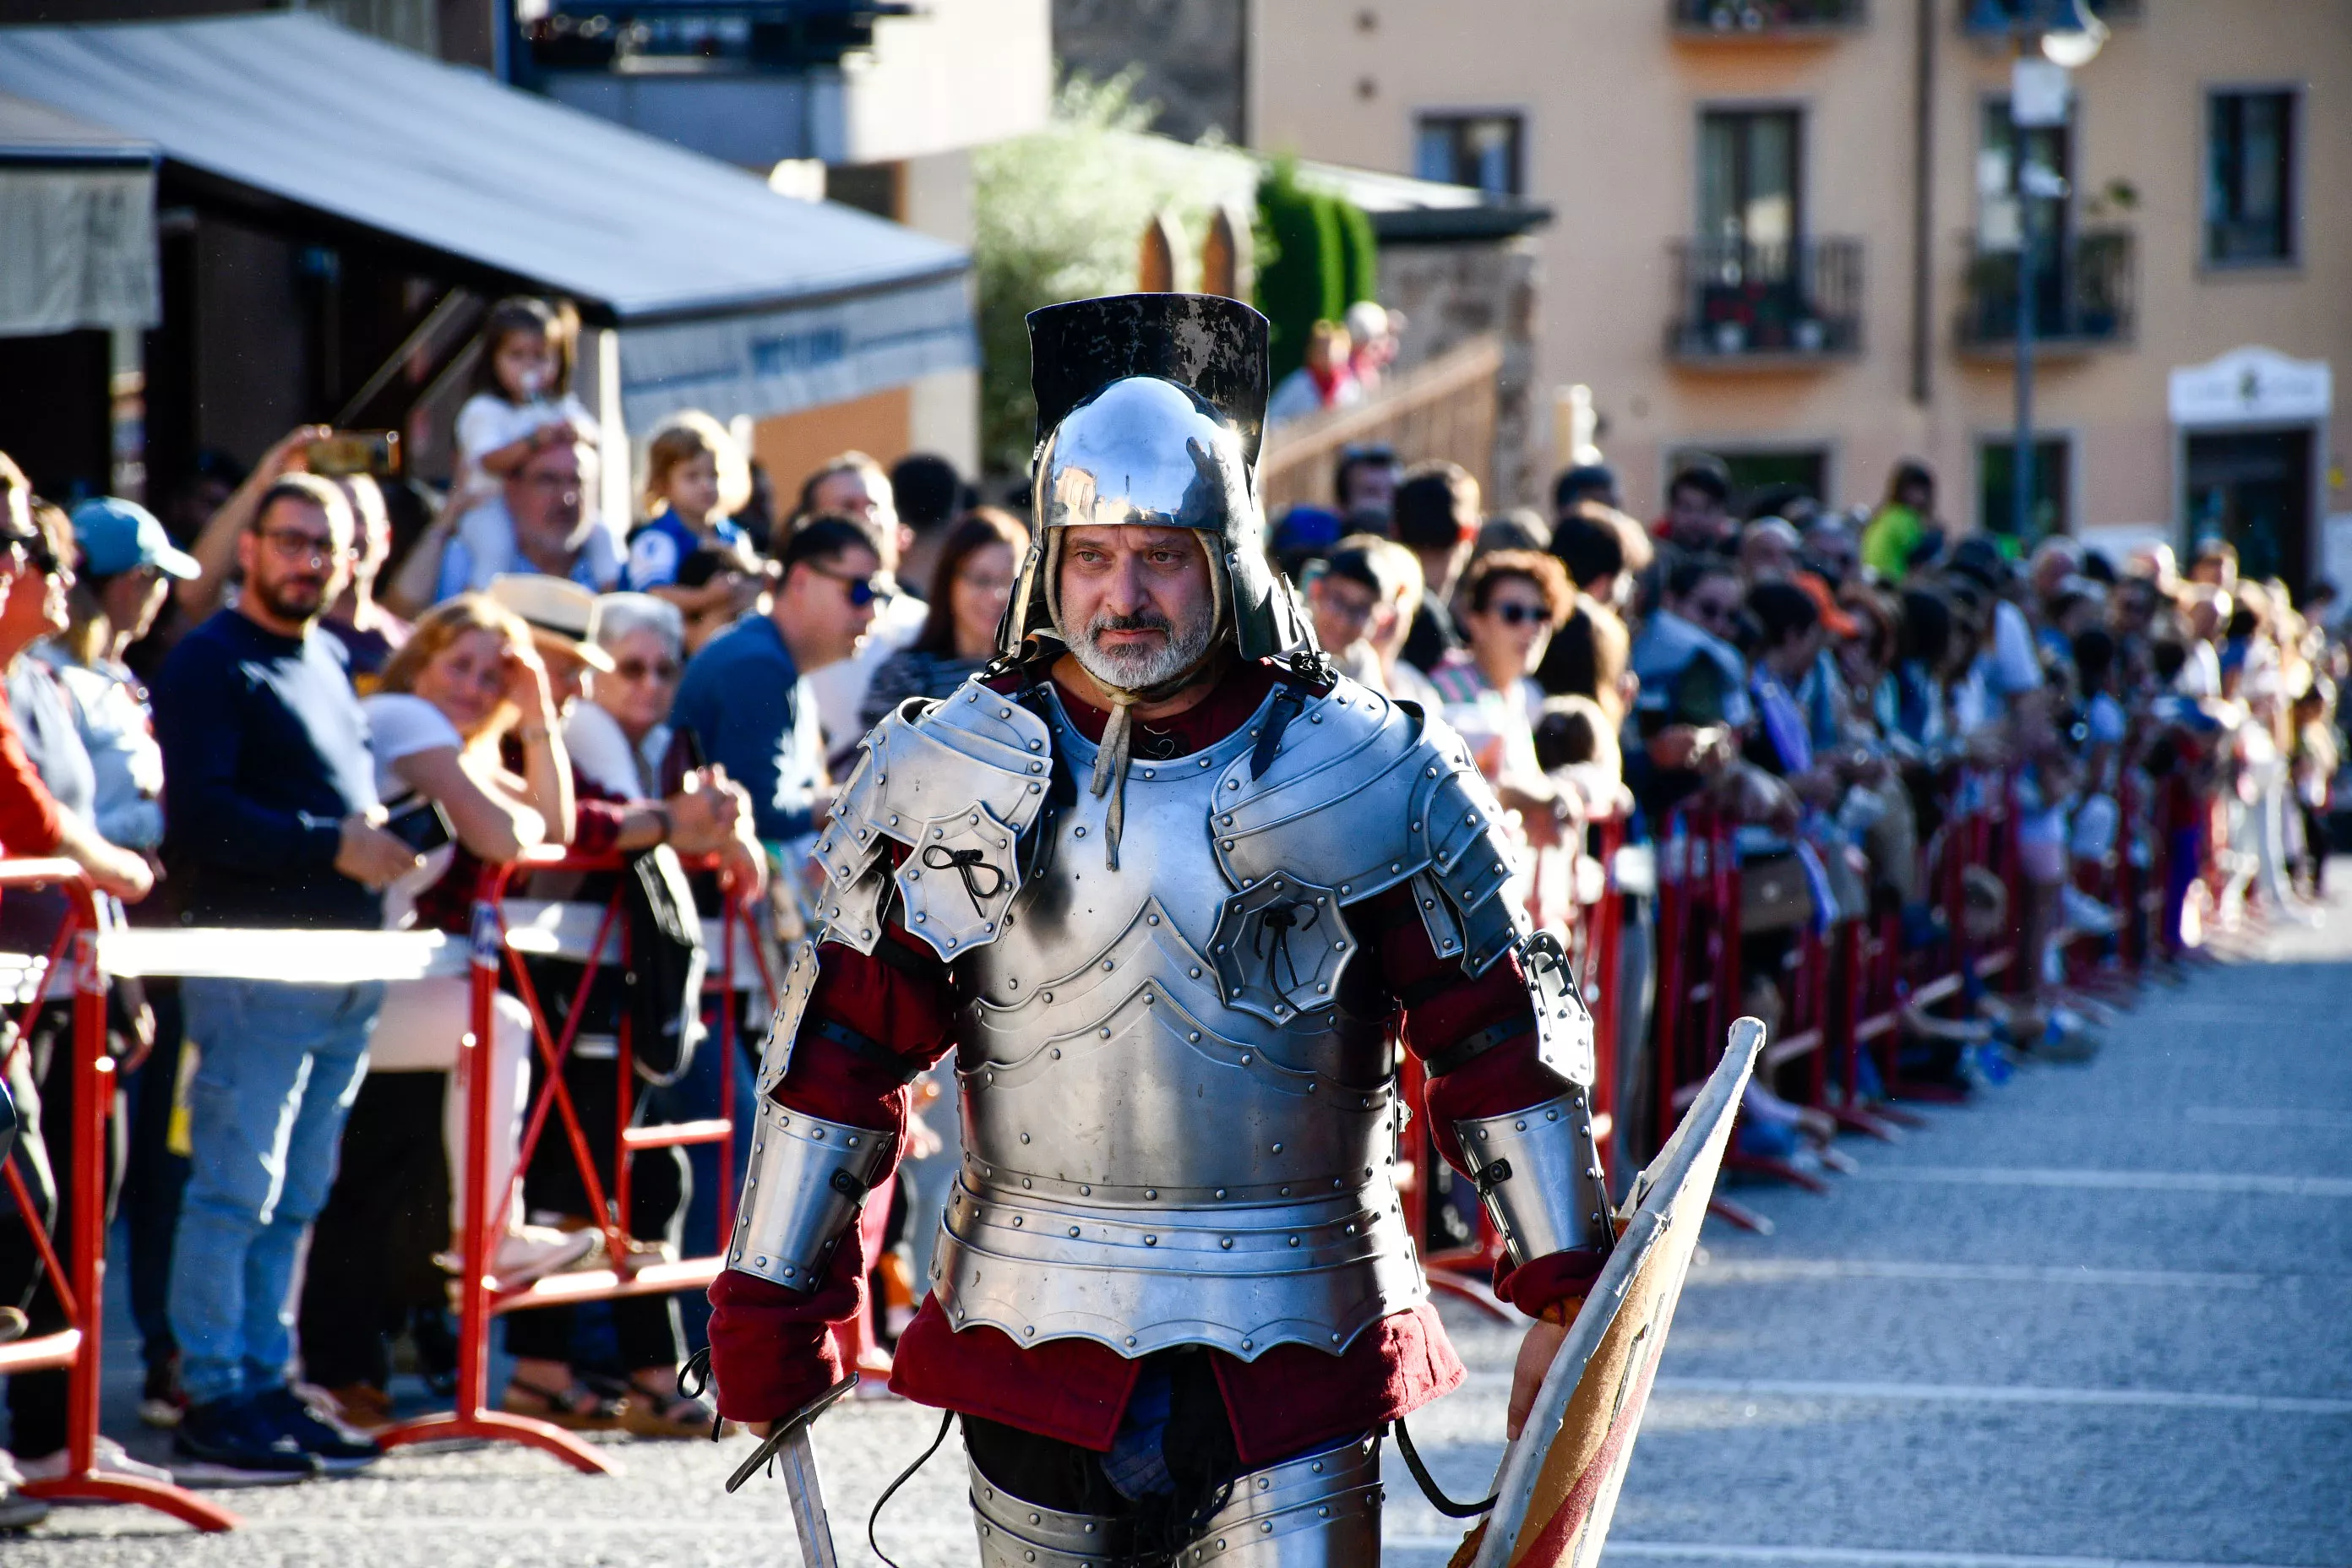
[472, 770]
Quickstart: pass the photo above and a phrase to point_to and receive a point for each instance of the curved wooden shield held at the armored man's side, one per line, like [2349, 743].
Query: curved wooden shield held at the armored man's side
[1561, 1480]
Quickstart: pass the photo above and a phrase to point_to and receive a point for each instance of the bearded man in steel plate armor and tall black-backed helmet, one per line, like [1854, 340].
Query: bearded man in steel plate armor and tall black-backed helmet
[1175, 894]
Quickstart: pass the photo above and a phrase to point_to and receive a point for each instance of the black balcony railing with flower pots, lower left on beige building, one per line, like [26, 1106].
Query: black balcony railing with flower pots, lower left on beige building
[1758, 307]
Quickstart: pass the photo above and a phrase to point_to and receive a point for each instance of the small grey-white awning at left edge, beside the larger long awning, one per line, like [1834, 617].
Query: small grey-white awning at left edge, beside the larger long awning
[76, 225]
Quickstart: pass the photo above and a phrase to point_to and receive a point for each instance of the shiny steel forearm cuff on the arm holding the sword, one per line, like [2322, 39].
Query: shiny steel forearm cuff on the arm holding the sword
[806, 1186]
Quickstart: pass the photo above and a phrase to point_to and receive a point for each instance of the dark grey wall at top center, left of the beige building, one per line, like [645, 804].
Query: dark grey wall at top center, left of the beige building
[1191, 51]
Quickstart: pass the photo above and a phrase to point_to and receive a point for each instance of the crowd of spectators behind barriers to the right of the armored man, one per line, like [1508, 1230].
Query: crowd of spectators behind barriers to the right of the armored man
[1838, 688]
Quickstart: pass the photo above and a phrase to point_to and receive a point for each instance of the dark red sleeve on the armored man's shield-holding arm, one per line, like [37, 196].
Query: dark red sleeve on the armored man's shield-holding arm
[1445, 1005]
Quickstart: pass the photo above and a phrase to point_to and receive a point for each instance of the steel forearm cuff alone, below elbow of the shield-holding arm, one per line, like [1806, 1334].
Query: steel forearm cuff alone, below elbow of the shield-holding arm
[1539, 1177]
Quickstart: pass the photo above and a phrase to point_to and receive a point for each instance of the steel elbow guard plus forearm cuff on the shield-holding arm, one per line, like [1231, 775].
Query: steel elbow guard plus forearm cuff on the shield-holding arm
[1537, 1170]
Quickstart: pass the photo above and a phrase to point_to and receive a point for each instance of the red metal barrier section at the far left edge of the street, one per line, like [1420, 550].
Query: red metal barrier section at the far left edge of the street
[81, 1289]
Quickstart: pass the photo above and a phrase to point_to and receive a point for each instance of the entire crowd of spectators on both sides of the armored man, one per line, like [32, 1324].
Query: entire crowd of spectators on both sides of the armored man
[326, 702]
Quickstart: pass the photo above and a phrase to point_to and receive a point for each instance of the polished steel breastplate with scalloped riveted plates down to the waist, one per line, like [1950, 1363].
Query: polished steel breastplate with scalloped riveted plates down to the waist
[1147, 1165]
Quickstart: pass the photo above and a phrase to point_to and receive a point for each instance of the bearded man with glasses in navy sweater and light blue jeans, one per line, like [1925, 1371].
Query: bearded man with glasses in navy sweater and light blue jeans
[272, 822]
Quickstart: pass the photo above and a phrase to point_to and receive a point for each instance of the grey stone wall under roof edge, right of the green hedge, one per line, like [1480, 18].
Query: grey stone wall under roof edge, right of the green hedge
[1457, 290]
